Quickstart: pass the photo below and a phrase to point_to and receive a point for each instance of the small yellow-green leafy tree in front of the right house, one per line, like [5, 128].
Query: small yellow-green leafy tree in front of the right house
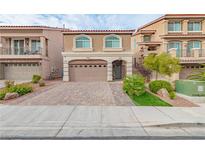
[163, 64]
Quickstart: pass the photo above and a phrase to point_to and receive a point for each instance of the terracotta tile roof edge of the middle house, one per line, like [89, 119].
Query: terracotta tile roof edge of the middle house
[97, 31]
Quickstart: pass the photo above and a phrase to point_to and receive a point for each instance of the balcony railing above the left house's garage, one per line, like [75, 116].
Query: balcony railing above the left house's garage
[20, 51]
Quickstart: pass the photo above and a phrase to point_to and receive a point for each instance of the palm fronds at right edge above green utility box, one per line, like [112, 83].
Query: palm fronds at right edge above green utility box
[199, 75]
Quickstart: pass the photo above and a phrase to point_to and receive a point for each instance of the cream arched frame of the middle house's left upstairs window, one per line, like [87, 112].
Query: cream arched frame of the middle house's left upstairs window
[82, 49]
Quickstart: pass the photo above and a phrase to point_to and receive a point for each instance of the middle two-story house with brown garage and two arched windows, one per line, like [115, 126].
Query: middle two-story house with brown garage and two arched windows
[97, 55]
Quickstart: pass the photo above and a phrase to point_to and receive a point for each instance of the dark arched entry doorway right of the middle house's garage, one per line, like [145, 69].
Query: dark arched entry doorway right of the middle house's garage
[119, 69]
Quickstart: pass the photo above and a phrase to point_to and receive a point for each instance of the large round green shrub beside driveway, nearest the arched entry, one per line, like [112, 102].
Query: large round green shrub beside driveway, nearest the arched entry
[134, 85]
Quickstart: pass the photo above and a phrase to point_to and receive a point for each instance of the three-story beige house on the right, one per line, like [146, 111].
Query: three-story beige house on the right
[183, 35]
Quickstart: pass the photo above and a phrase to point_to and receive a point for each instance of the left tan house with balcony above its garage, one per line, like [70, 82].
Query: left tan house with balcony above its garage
[28, 50]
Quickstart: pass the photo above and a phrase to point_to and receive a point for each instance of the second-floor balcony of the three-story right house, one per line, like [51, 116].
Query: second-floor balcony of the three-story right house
[189, 56]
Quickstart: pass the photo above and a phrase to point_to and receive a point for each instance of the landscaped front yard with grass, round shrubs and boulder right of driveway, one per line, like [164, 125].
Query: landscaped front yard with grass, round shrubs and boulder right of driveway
[156, 93]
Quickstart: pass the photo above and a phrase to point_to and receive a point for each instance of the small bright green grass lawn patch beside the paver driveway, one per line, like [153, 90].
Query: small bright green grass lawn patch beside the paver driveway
[148, 99]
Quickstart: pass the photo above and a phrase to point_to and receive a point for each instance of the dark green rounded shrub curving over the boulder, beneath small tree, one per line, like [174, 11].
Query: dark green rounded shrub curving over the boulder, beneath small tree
[156, 85]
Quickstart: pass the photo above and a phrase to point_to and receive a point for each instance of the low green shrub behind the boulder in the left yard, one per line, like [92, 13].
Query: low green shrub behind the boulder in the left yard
[21, 89]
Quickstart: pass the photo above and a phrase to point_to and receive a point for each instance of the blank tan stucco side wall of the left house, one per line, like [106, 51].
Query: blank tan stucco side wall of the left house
[55, 48]
